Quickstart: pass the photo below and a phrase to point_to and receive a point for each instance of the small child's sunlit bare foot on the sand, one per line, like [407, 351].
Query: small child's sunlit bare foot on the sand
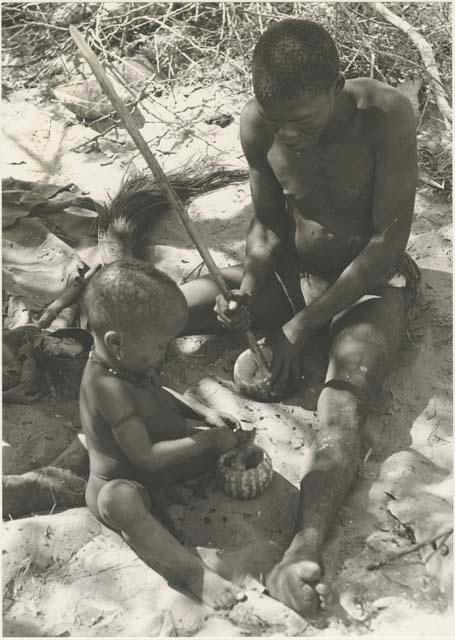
[214, 590]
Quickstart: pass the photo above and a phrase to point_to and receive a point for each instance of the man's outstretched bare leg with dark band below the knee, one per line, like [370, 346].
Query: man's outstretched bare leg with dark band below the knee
[365, 343]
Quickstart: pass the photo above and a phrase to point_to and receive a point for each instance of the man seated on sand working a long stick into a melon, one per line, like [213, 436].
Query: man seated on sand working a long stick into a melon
[333, 170]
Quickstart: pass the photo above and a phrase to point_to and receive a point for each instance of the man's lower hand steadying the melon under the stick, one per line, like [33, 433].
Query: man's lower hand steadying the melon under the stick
[286, 345]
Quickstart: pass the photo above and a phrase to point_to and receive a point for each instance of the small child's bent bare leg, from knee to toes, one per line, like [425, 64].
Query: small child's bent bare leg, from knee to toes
[124, 505]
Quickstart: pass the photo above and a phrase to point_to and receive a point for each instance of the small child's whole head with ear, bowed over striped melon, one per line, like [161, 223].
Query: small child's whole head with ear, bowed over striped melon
[134, 311]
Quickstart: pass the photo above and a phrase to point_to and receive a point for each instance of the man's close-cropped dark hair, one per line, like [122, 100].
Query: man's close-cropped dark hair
[294, 58]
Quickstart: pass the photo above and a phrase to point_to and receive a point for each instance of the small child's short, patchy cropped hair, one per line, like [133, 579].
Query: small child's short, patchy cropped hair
[131, 294]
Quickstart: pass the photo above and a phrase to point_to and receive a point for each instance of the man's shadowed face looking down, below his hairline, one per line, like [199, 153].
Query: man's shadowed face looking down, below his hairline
[299, 123]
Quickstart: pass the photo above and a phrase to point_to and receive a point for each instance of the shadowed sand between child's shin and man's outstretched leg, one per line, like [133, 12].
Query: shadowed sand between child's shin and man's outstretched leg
[238, 537]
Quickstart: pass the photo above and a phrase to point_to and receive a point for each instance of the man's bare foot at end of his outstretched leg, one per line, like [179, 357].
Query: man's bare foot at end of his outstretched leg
[297, 584]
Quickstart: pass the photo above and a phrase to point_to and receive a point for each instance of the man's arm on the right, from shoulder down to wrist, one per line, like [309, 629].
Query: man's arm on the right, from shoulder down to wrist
[393, 205]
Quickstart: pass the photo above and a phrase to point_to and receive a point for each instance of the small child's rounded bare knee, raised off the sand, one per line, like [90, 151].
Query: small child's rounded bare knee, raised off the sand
[123, 503]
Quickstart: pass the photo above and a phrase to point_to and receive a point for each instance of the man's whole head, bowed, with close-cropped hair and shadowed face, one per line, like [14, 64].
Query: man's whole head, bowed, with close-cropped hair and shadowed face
[296, 75]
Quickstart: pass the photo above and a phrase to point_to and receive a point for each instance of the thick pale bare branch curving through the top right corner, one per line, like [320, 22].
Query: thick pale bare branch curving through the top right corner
[426, 53]
